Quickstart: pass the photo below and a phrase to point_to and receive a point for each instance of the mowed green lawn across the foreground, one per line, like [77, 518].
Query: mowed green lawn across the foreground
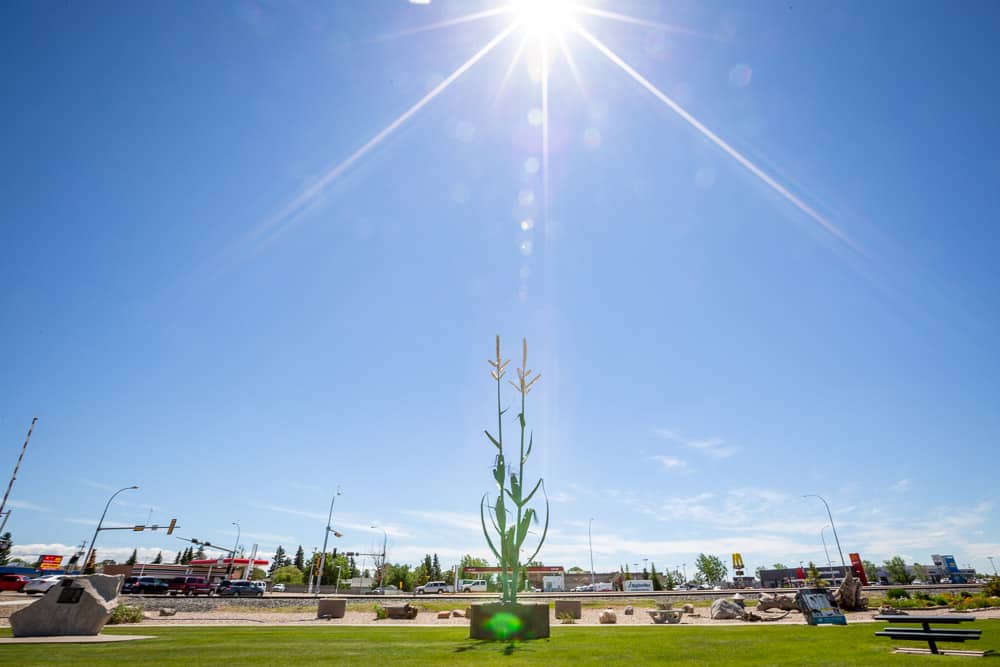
[576, 645]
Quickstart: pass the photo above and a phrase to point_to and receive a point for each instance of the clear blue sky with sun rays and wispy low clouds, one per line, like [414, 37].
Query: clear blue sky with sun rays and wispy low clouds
[215, 285]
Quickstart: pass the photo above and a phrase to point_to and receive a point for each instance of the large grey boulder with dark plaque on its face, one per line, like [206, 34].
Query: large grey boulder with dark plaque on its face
[74, 606]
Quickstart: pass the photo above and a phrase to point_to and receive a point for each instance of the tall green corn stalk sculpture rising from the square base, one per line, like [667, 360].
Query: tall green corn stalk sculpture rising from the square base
[510, 515]
